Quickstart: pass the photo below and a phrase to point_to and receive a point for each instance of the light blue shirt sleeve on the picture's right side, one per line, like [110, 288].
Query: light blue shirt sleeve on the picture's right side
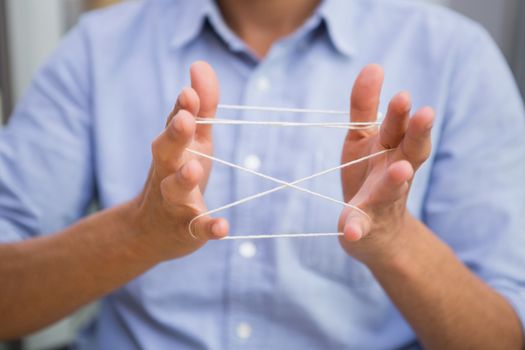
[476, 196]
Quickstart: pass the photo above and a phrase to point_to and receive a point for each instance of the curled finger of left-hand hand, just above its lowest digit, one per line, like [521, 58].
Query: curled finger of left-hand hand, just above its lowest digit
[177, 187]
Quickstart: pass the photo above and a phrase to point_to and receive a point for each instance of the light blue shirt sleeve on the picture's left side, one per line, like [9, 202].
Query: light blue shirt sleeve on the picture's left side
[46, 160]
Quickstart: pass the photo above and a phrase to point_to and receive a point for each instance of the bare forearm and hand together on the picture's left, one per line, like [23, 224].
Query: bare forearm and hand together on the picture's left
[103, 251]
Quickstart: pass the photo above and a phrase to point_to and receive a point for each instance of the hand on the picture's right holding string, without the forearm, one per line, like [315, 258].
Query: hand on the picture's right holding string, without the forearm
[380, 186]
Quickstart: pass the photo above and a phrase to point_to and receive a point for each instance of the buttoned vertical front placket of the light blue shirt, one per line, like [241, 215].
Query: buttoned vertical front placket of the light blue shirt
[248, 273]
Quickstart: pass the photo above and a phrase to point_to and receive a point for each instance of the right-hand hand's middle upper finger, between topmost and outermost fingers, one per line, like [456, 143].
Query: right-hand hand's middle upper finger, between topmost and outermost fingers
[396, 122]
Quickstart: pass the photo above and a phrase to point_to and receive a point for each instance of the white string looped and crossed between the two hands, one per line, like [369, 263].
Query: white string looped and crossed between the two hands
[284, 184]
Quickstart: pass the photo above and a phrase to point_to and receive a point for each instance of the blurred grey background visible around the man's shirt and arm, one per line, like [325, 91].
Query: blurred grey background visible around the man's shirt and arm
[31, 29]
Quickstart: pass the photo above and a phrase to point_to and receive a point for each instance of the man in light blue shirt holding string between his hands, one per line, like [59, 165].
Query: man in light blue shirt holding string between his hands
[443, 270]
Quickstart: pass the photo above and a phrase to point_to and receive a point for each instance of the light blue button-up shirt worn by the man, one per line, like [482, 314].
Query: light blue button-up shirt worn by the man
[84, 129]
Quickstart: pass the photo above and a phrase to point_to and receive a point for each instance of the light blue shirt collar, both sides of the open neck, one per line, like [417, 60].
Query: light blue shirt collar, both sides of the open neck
[192, 16]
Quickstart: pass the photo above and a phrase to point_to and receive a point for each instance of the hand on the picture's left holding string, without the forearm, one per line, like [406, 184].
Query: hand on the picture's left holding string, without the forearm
[173, 194]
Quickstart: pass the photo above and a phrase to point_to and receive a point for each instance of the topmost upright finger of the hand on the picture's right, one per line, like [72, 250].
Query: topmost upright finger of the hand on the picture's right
[364, 102]
